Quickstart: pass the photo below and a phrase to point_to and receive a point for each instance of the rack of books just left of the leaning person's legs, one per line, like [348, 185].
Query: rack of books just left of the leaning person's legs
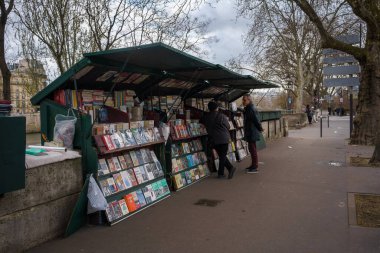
[186, 155]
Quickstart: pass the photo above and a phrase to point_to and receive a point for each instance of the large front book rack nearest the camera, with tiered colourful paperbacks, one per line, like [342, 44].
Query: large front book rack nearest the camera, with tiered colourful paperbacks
[130, 174]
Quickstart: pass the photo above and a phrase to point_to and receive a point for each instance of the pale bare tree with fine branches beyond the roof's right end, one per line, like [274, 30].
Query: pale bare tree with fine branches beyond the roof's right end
[284, 45]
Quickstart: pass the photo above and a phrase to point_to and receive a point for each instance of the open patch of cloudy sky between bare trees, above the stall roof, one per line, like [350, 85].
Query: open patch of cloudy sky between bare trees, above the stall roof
[227, 28]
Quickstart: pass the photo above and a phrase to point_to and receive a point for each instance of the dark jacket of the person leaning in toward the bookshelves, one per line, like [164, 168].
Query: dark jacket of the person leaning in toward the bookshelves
[217, 127]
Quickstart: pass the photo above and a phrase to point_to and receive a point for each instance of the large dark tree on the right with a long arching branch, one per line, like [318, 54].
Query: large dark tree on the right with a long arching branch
[368, 118]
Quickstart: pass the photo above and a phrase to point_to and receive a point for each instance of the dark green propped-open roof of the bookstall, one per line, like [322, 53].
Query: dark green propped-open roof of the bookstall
[149, 70]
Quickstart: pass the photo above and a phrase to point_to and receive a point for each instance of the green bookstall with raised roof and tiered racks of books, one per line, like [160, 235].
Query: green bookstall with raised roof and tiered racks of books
[114, 150]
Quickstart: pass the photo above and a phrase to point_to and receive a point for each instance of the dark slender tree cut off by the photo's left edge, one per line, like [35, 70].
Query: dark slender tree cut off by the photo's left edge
[5, 11]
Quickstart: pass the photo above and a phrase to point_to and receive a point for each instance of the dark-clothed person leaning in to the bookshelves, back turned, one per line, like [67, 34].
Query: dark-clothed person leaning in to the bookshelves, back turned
[217, 127]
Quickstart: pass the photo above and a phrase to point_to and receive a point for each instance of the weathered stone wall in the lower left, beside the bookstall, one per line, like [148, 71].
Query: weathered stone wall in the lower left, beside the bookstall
[41, 211]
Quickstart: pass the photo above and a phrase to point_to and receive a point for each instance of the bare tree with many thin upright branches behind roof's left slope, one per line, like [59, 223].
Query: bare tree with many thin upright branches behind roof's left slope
[58, 24]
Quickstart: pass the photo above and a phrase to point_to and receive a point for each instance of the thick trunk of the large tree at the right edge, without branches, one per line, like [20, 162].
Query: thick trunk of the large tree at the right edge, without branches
[366, 122]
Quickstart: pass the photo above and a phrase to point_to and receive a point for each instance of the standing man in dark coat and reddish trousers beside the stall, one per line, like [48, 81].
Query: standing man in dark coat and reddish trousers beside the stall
[252, 129]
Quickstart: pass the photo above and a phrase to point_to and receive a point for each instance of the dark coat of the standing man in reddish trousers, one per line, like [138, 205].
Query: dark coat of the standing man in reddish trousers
[252, 124]
